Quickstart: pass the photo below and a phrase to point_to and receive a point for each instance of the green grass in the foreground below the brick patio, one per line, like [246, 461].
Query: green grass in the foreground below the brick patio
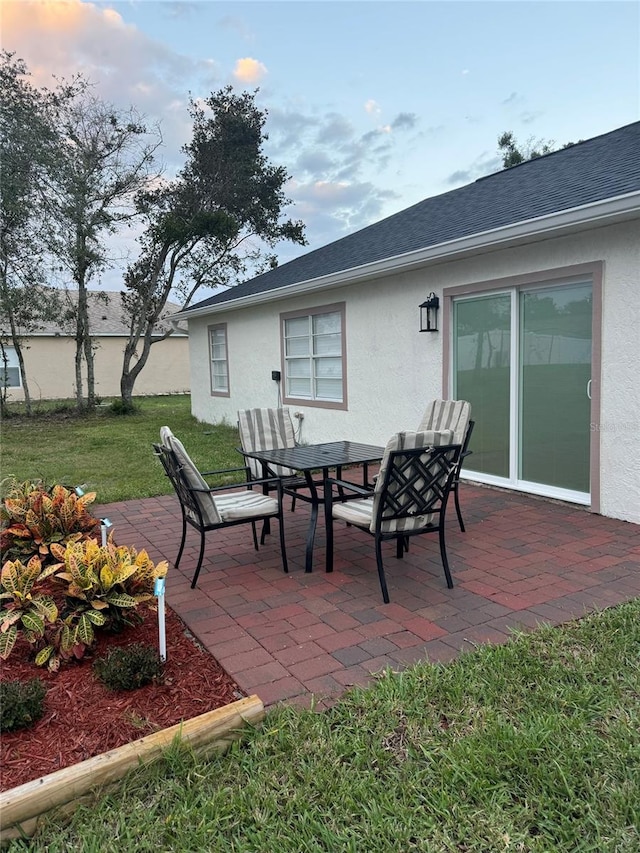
[533, 746]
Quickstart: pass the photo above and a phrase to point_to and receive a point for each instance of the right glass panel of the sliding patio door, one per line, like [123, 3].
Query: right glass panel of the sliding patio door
[554, 371]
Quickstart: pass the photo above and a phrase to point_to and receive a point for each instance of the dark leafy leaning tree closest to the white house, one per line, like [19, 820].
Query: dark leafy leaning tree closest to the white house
[211, 225]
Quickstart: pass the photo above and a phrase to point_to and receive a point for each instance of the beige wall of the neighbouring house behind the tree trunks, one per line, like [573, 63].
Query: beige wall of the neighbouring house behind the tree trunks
[50, 368]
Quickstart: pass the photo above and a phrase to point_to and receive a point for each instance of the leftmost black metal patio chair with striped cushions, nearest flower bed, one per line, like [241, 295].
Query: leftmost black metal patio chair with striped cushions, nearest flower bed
[208, 508]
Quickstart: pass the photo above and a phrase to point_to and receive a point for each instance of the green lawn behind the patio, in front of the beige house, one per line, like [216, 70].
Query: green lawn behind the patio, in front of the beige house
[112, 454]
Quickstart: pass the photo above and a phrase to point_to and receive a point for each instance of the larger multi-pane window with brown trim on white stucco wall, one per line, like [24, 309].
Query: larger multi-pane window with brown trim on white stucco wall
[314, 356]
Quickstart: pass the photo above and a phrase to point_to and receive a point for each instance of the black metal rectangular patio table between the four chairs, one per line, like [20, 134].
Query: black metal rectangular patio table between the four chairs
[318, 457]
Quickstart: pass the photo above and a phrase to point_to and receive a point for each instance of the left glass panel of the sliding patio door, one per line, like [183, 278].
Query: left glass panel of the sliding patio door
[482, 358]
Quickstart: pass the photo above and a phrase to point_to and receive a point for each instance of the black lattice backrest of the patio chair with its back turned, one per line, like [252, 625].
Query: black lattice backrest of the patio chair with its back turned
[416, 474]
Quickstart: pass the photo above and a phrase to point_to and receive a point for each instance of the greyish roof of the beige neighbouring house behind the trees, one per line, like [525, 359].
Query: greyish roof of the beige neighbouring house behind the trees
[105, 317]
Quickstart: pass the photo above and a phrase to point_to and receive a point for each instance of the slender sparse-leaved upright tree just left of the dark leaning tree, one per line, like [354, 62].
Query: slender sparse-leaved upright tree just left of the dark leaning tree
[107, 158]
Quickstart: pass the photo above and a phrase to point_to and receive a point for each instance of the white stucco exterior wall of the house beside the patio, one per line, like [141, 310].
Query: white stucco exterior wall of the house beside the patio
[394, 370]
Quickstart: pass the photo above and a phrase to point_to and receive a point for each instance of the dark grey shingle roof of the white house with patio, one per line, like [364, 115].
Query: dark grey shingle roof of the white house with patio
[578, 178]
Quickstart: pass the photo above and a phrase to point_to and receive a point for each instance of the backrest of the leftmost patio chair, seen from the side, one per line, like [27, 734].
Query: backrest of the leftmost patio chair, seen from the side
[186, 479]
